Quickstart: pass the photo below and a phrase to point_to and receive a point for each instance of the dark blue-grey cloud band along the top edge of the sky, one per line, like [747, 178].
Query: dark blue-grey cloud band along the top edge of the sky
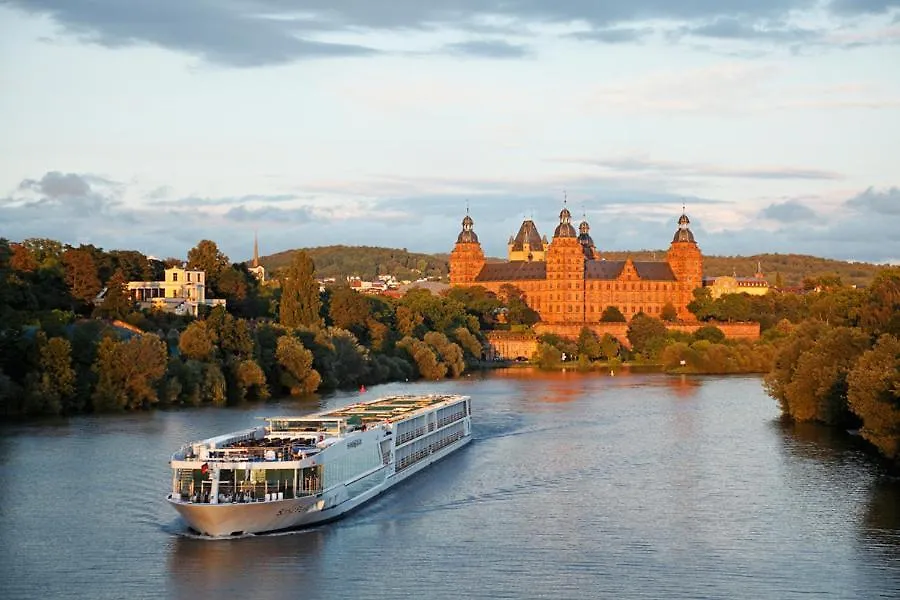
[248, 33]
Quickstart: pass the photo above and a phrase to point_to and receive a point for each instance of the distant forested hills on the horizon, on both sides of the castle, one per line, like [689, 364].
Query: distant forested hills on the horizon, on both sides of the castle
[368, 262]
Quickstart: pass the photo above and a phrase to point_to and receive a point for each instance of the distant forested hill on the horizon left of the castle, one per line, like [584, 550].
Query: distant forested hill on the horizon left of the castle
[367, 262]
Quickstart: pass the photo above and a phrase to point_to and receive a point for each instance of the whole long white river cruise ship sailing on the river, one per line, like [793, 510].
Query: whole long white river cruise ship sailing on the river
[298, 471]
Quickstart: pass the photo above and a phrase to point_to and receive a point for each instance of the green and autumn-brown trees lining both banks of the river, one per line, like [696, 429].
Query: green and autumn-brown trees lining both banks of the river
[831, 355]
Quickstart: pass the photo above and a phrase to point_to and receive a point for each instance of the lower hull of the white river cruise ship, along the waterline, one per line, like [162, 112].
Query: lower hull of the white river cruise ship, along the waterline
[233, 519]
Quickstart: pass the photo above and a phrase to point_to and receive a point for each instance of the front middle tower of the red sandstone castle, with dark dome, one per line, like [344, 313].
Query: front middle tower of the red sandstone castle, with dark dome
[565, 274]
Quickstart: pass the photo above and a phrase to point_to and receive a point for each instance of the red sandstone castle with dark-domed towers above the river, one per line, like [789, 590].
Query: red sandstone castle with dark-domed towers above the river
[569, 282]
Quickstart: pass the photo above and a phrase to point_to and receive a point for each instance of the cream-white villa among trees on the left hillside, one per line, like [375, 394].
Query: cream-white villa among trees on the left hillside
[182, 292]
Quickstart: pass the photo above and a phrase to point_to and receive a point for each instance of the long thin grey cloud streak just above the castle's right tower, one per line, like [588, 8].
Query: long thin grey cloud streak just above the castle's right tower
[675, 169]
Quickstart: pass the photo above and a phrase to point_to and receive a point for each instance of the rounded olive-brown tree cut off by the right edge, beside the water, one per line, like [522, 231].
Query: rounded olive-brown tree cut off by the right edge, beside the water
[873, 394]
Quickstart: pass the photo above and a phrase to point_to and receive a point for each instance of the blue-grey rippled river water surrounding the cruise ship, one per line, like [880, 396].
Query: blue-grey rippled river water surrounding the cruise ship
[576, 486]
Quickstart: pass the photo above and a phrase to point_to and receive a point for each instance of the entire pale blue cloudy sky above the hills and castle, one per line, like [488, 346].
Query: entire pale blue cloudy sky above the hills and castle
[154, 124]
